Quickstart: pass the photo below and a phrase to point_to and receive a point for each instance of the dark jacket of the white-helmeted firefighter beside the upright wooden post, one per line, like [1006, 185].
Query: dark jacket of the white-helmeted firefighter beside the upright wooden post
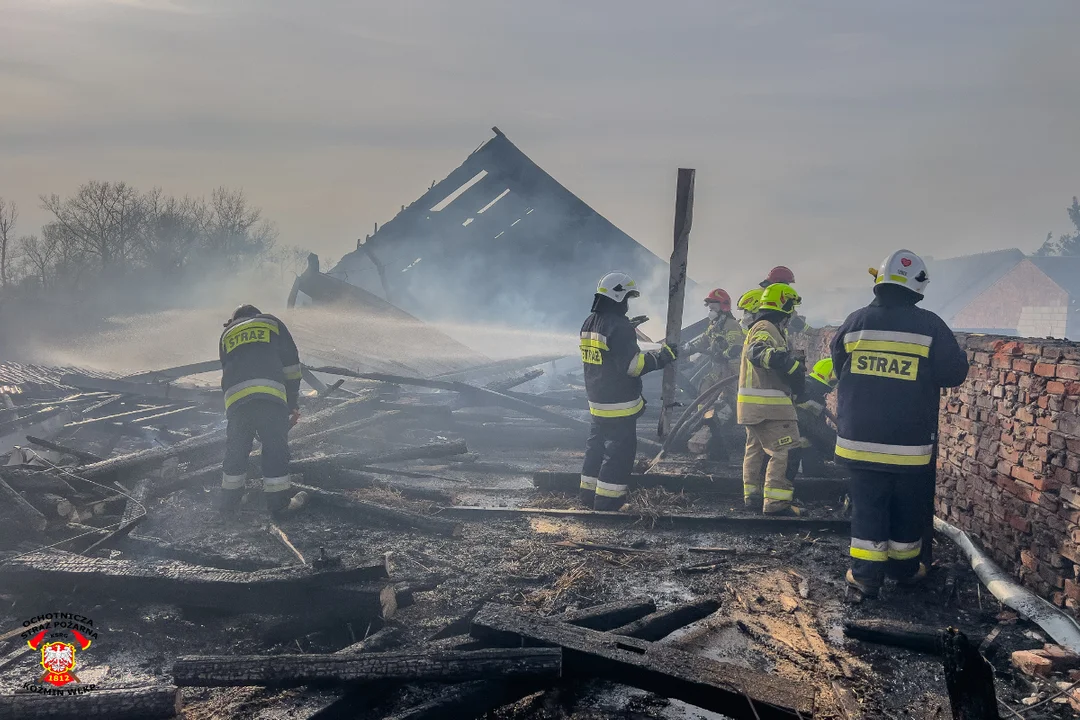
[614, 365]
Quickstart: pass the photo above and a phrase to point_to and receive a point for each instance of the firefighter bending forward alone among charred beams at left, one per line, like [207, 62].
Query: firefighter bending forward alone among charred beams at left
[261, 377]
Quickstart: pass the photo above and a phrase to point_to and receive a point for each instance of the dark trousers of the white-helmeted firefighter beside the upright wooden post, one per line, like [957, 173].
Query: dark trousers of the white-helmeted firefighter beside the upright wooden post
[610, 460]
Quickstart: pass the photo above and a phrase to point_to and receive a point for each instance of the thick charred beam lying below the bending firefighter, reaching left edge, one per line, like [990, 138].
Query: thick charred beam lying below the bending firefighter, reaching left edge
[300, 591]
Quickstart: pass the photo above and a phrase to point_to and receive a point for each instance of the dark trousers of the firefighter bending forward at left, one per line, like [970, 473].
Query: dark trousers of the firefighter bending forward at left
[268, 422]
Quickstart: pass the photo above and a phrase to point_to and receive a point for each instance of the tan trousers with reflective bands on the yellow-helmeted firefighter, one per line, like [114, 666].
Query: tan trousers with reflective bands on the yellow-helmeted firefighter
[773, 441]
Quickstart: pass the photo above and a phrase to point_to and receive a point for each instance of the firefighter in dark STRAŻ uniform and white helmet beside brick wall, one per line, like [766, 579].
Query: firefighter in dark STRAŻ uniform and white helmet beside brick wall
[893, 360]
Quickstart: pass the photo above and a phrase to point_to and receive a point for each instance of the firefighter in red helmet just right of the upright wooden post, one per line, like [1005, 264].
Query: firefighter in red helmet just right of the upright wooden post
[720, 346]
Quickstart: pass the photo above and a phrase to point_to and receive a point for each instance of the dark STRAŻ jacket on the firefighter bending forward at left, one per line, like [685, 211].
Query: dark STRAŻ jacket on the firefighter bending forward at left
[260, 361]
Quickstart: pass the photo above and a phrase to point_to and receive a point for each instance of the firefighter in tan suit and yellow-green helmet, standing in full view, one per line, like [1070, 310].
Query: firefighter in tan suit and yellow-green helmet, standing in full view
[769, 377]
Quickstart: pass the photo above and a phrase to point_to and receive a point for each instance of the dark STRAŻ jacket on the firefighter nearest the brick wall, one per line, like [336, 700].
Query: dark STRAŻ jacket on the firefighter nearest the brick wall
[893, 361]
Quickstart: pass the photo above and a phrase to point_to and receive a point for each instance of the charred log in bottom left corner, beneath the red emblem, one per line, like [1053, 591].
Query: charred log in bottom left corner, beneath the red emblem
[109, 704]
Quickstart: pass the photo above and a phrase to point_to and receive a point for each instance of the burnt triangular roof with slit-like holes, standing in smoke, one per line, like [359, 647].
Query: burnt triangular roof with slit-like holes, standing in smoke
[497, 238]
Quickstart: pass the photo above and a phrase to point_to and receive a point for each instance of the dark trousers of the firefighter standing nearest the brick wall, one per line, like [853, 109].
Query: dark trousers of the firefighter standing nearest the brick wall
[888, 519]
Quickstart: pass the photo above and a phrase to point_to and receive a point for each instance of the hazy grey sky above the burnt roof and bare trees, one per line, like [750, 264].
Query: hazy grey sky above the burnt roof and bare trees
[823, 133]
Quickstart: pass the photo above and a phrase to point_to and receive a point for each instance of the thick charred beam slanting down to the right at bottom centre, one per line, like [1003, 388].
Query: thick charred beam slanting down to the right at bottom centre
[731, 690]
